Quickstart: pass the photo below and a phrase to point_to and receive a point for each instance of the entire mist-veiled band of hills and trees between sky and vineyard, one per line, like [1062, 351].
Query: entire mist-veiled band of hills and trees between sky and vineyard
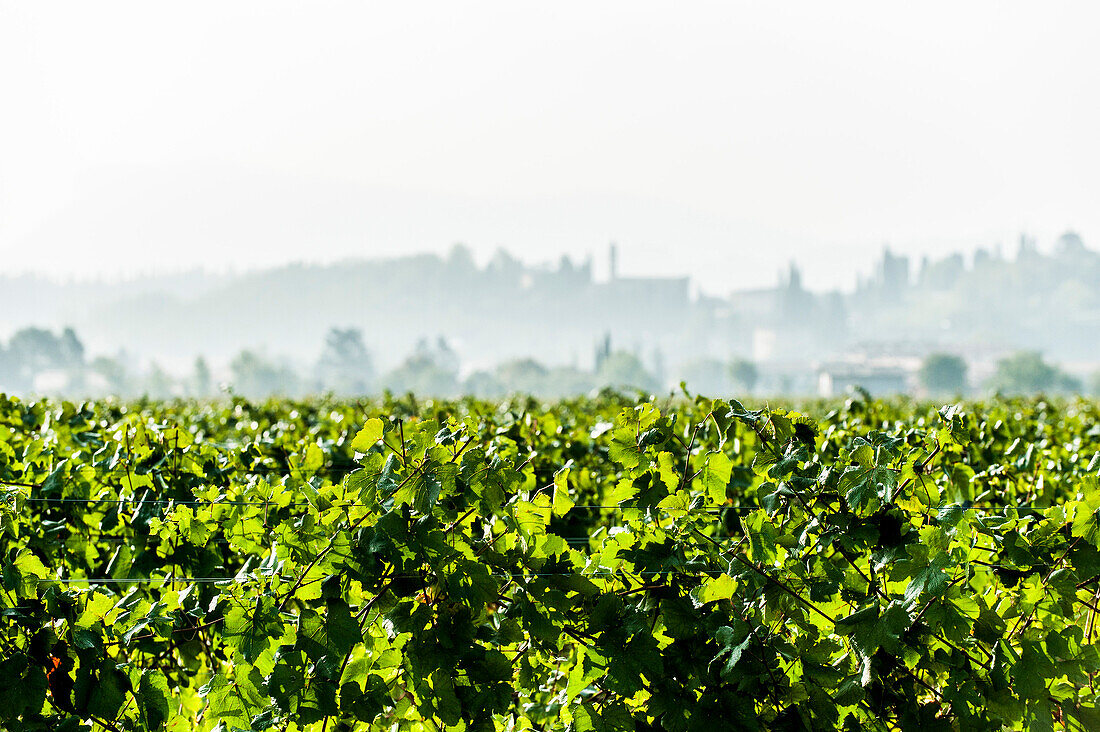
[447, 325]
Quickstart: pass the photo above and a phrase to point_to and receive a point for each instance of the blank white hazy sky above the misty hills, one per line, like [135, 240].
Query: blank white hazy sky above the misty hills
[719, 140]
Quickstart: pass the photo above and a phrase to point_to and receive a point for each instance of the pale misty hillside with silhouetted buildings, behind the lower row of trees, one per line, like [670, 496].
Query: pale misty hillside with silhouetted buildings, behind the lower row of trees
[559, 314]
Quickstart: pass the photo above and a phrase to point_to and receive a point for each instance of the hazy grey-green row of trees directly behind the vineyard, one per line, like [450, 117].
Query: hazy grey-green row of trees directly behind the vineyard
[38, 360]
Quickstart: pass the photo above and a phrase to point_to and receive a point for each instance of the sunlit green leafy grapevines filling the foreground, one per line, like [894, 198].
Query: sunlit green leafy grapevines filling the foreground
[599, 564]
